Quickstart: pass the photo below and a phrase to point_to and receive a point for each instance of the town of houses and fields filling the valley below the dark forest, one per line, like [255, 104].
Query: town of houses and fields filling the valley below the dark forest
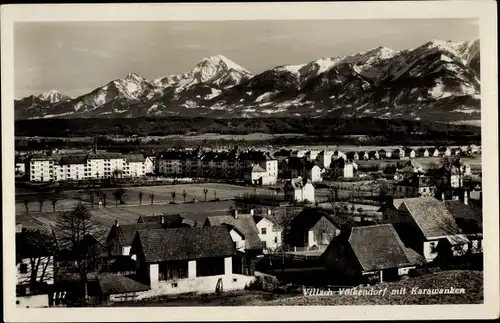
[99, 228]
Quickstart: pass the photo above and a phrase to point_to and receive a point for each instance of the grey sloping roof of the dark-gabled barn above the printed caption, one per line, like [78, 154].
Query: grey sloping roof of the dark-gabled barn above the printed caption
[379, 247]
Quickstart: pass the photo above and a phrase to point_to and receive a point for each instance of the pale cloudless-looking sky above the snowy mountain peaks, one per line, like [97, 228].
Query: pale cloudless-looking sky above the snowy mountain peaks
[77, 57]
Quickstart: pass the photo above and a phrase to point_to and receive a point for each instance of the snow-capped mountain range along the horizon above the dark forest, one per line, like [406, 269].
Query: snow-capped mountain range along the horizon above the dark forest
[439, 80]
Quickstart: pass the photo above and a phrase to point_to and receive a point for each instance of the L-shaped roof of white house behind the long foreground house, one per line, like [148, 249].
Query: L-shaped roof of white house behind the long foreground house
[244, 223]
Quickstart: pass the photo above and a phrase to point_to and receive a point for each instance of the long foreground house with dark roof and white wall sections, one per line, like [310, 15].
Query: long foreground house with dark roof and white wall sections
[187, 260]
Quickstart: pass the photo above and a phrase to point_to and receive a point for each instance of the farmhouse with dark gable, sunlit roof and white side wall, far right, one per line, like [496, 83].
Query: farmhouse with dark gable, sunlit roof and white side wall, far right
[426, 225]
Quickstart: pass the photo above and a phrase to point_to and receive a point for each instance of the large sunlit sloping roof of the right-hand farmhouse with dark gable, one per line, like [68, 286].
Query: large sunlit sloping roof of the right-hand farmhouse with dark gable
[431, 216]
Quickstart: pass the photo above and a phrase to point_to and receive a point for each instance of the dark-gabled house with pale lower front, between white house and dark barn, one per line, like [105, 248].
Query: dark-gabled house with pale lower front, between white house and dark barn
[311, 229]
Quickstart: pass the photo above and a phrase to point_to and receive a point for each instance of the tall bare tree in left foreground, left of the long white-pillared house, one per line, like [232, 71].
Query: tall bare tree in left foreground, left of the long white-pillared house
[76, 231]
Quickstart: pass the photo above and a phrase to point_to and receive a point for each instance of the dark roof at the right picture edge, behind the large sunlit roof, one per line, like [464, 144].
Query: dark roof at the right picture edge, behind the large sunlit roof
[468, 218]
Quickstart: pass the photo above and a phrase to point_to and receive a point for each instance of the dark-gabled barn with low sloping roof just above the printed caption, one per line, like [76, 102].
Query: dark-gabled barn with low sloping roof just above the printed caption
[369, 253]
